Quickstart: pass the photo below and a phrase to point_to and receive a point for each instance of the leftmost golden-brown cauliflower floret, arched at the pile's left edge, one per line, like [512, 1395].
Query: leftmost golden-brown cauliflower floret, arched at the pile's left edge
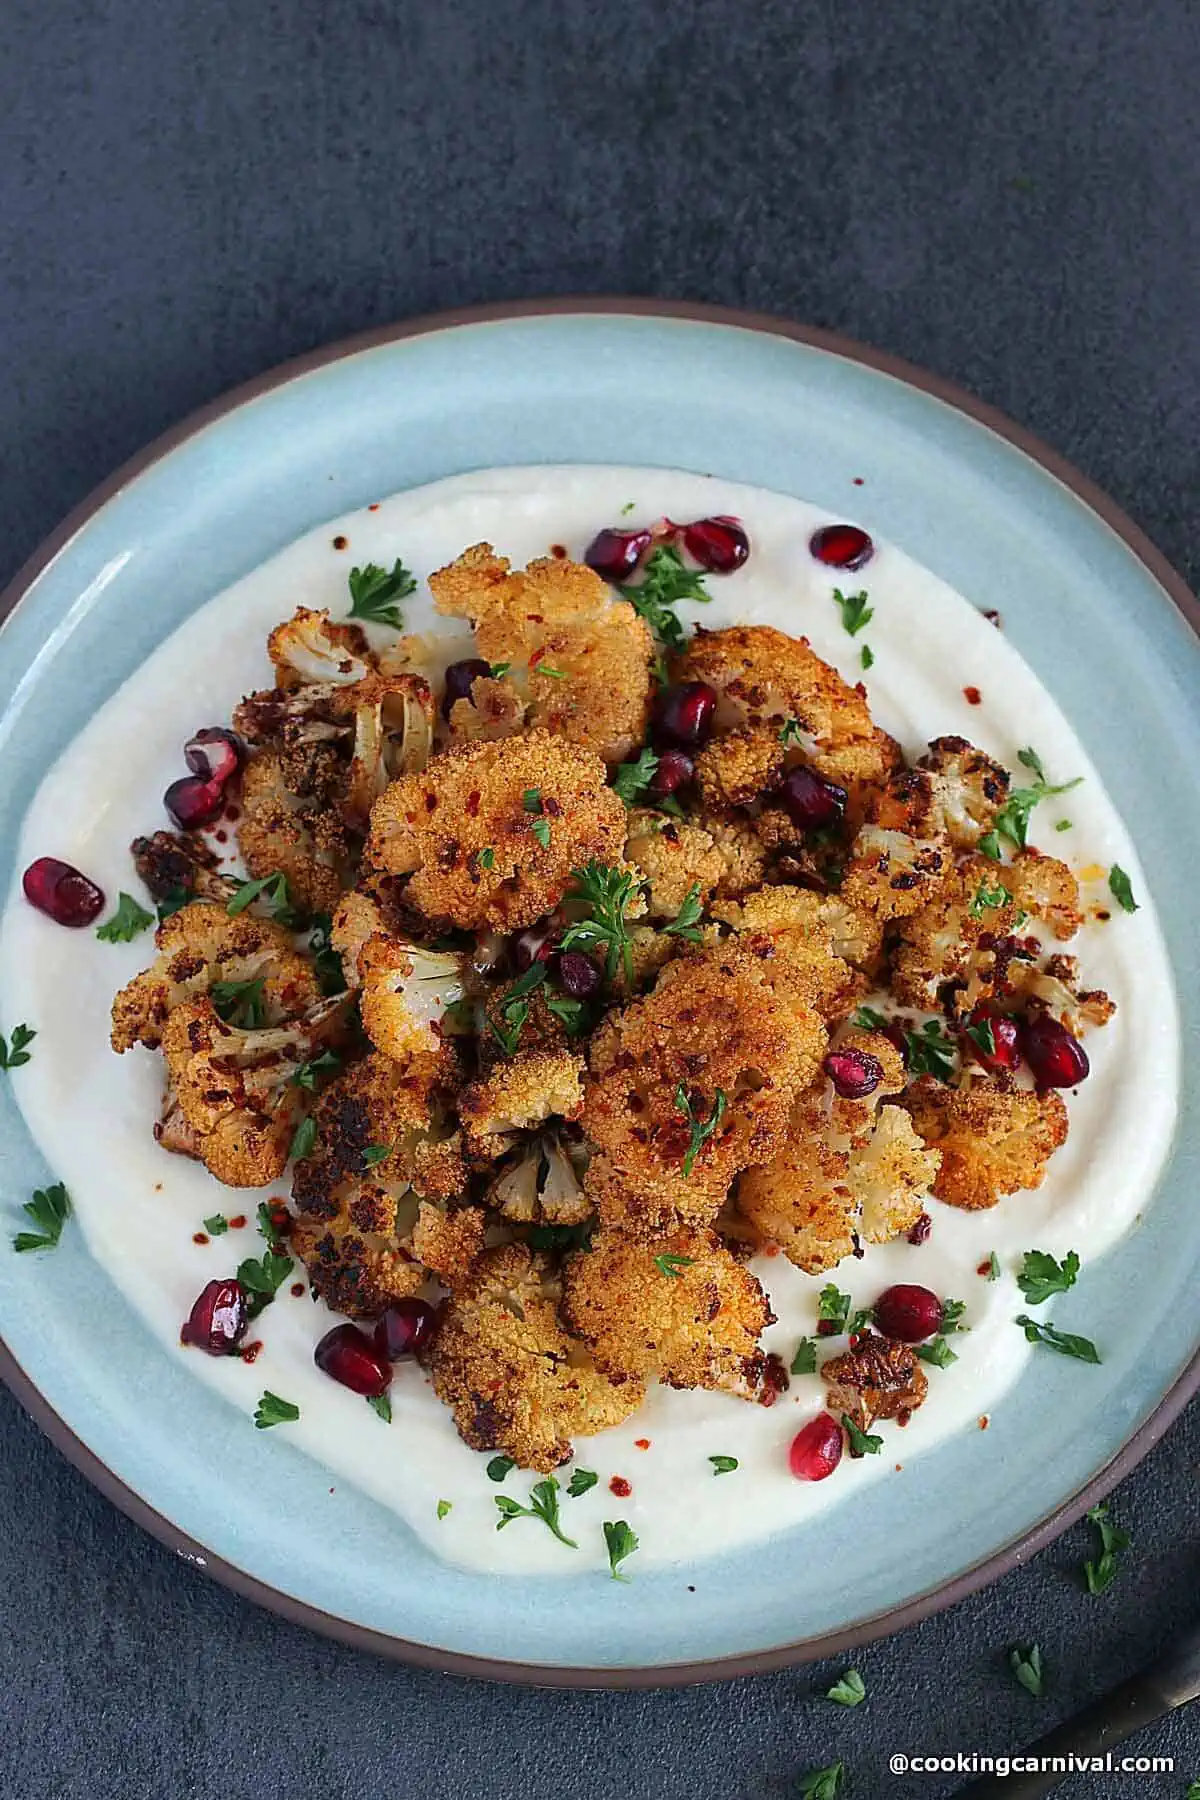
[199, 948]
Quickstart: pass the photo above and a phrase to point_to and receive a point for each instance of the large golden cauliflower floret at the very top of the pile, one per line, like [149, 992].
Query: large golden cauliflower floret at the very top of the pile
[578, 658]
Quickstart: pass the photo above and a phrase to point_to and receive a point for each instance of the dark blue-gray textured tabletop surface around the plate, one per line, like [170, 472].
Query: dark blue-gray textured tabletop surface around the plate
[1007, 192]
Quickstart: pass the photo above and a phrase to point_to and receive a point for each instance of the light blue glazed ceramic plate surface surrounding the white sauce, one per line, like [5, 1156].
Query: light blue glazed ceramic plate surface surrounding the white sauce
[1088, 602]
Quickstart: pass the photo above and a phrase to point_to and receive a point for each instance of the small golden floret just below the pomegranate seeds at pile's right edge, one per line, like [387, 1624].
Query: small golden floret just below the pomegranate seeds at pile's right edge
[992, 1140]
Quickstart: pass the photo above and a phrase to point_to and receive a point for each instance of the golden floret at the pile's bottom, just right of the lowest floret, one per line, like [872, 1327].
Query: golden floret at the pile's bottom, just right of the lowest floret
[677, 1306]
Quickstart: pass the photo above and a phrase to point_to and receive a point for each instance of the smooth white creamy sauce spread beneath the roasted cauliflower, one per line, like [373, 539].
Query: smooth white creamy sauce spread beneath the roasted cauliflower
[139, 1207]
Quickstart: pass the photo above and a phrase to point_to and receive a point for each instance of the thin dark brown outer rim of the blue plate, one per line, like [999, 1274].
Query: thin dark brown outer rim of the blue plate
[544, 1675]
